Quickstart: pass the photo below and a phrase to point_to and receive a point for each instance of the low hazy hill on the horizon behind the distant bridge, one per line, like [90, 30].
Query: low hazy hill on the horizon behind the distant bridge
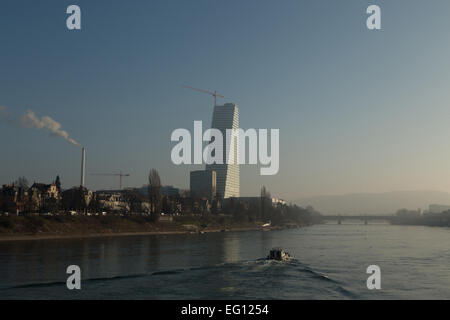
[375, 203]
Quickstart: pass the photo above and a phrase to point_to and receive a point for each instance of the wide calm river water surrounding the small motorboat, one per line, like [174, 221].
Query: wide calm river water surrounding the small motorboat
[330, 262]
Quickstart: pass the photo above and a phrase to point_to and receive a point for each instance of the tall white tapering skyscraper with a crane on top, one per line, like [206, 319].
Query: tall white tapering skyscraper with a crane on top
[227, 175]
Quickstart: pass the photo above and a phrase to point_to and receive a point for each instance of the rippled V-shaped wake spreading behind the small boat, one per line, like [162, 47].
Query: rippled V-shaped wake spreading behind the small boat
[289, 279]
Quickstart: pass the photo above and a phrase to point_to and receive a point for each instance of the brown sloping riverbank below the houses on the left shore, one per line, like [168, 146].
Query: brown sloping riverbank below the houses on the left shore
[67, 227]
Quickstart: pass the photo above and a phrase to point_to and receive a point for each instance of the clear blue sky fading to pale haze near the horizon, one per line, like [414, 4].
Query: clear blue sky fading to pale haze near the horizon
[358, 110]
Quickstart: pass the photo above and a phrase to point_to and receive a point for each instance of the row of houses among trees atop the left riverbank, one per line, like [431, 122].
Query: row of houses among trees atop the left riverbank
[50, 198]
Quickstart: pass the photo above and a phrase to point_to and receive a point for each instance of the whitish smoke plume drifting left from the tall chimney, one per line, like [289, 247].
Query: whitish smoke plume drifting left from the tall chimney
[30, 120]
